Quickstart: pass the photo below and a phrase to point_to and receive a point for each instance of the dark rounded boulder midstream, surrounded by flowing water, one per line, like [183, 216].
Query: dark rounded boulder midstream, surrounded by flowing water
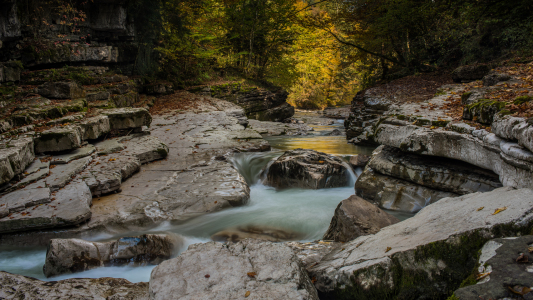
[309, 169]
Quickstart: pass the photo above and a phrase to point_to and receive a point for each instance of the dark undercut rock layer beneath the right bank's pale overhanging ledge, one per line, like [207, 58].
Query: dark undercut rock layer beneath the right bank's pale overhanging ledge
[440, 174]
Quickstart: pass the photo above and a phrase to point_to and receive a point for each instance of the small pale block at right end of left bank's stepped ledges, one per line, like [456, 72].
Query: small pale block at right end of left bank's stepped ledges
[146, 148]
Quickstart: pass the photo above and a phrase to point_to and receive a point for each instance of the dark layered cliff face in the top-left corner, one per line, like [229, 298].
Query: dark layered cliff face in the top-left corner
[44, 34]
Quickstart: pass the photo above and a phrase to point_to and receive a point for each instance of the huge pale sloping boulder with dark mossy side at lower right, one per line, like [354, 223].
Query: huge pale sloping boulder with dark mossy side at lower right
[428, 254]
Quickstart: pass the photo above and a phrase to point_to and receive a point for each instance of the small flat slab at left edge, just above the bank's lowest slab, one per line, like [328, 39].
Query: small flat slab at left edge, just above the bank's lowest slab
[20, 200]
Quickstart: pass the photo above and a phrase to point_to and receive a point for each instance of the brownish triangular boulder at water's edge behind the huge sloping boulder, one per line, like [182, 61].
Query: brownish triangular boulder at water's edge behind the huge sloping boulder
[355, 217]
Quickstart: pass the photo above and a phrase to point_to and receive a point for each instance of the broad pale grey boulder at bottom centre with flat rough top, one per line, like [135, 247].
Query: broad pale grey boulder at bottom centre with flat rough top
[251, 268]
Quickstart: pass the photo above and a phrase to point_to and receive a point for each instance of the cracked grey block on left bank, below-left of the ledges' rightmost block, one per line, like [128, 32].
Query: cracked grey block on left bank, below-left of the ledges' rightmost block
[105, 174]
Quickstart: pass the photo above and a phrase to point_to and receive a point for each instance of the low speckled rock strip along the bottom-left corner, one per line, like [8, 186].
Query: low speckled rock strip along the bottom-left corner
[21, 287]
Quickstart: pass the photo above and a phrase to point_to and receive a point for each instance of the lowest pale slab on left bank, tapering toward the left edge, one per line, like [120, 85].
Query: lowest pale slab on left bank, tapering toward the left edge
[69, 206]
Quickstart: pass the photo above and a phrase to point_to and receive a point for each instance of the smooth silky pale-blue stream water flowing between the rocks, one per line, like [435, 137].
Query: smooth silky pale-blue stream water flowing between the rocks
[306, 212]
